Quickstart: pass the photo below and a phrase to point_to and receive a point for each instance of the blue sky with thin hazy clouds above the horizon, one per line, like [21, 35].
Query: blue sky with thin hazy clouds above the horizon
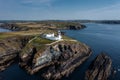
[59, 9]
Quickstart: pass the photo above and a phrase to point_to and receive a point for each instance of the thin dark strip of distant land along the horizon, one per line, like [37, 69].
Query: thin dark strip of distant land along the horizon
[80, 21]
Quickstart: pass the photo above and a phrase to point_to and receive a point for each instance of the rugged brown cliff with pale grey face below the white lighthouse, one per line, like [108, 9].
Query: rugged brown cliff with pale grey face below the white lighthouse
[60, 59]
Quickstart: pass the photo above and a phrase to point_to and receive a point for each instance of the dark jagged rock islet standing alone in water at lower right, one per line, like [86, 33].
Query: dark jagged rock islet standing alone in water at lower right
[100, 69]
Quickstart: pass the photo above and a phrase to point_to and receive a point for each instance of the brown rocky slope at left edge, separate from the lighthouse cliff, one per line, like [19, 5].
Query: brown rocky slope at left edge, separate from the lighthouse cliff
[9, 49]
